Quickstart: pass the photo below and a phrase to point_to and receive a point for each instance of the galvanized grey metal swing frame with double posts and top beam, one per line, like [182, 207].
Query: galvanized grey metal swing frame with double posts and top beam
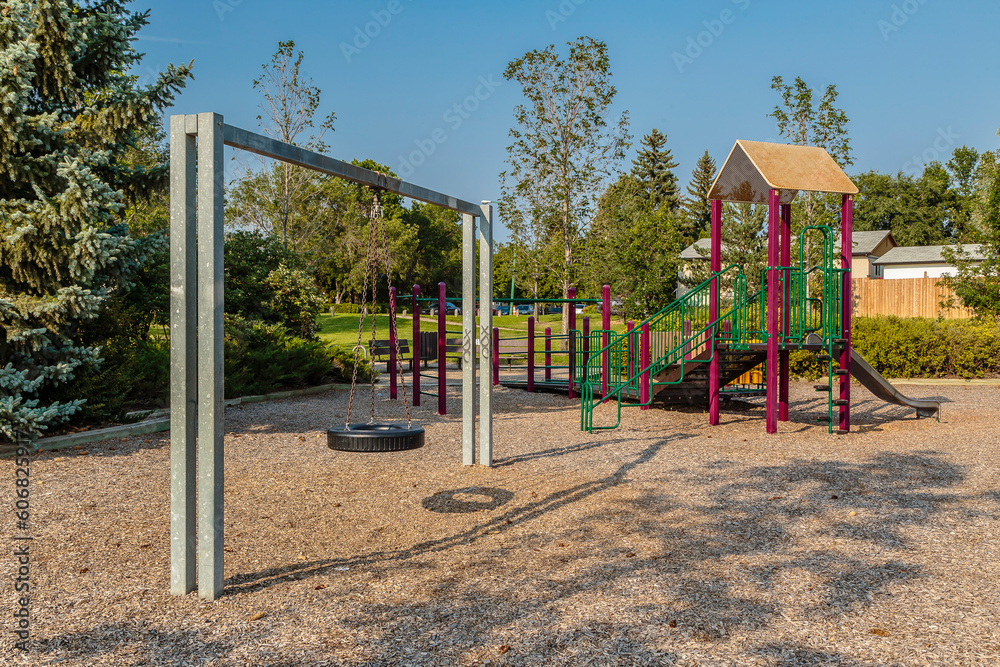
[197, 181]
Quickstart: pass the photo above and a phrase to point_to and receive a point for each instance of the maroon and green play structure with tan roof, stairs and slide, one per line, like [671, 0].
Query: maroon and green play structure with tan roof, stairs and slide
[803, 305]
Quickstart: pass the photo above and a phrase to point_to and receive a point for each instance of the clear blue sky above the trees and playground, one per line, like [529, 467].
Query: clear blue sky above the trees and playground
[916, 77]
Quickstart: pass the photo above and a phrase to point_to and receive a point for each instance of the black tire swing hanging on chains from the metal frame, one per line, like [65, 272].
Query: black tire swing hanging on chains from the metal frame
[374, 436]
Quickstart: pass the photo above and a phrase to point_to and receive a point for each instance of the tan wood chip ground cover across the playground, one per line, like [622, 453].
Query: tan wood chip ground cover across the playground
[665, 542]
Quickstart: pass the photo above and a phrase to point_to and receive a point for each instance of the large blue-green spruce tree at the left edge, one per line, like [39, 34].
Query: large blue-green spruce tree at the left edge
[70, 111]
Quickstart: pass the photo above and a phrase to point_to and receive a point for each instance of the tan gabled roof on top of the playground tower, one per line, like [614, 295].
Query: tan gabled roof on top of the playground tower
[755, 167]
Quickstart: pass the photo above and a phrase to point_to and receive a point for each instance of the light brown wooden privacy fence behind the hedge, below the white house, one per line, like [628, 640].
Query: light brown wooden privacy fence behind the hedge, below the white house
[905, 297]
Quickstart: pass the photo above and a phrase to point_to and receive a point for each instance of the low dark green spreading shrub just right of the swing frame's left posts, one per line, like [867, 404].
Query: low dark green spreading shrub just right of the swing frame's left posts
[262, 357]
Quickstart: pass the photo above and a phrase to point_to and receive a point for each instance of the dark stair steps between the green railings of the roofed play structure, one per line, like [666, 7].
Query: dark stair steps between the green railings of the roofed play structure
[686, 383]
